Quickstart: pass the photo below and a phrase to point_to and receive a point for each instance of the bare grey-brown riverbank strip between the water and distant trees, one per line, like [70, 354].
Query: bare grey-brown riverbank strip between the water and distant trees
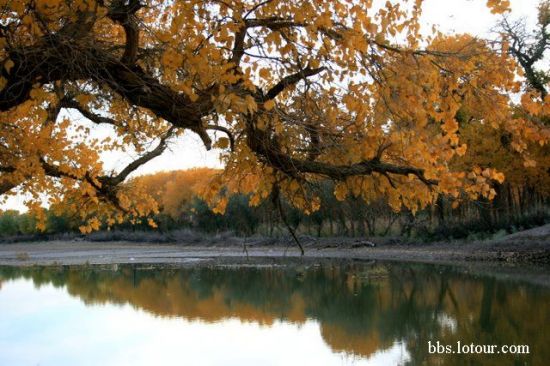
[531, 246]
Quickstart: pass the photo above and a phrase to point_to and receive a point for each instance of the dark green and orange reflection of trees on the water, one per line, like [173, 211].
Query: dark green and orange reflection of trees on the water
[360, 309]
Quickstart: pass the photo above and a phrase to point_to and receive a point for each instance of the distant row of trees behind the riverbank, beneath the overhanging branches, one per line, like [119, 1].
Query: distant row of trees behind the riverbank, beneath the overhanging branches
[178, 193]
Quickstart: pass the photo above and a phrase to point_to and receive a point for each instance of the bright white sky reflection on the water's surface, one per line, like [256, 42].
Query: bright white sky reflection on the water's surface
[47, 326]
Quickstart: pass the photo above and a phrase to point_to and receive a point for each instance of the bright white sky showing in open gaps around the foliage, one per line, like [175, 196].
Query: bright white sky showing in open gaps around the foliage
[451, 16]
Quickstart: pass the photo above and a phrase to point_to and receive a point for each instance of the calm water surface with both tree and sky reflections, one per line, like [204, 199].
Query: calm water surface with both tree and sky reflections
[348, 314]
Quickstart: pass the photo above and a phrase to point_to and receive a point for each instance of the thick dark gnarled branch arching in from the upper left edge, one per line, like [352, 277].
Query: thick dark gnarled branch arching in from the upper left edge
[54, 60]
